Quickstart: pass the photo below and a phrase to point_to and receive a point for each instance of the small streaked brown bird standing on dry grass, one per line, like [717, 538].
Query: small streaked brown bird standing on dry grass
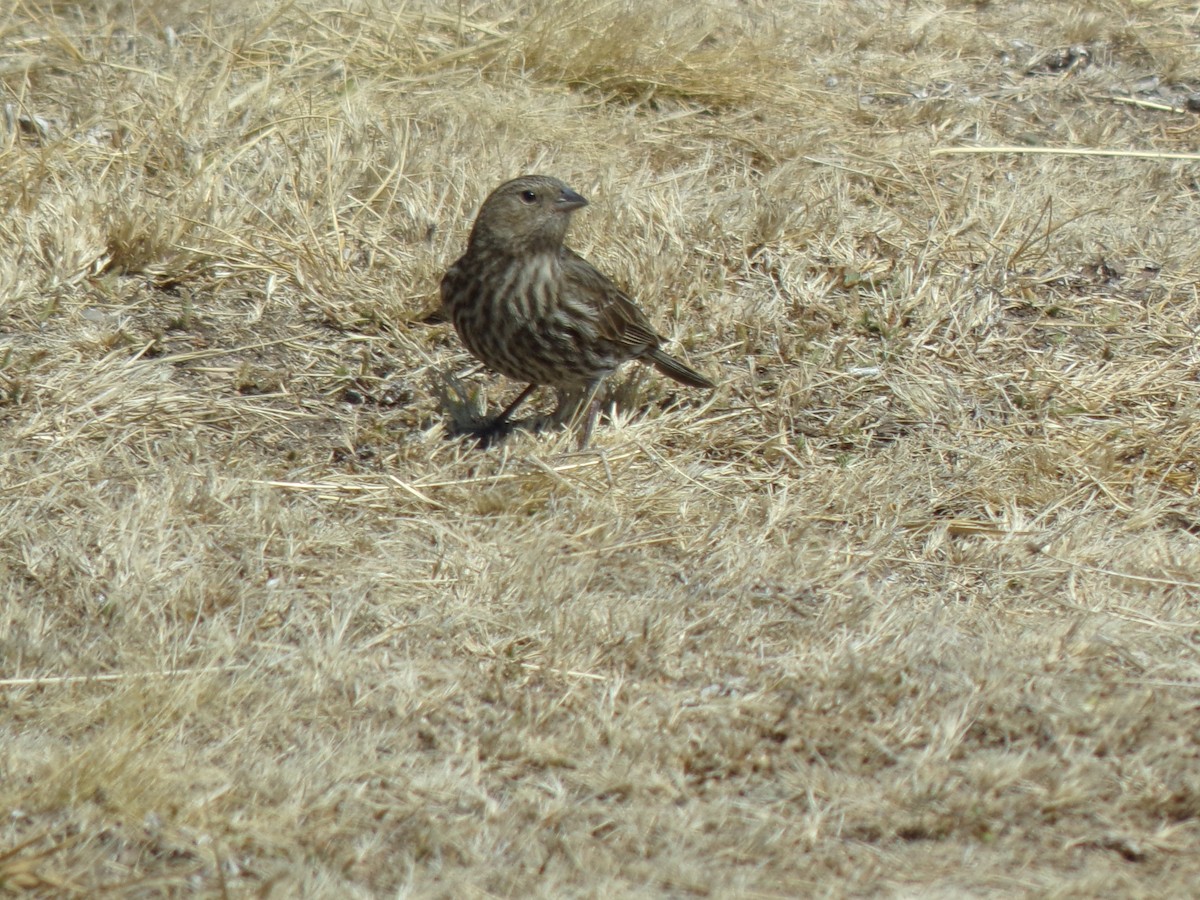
[536, 311]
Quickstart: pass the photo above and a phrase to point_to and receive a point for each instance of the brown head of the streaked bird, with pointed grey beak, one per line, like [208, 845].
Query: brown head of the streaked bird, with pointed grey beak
[526, 215]
